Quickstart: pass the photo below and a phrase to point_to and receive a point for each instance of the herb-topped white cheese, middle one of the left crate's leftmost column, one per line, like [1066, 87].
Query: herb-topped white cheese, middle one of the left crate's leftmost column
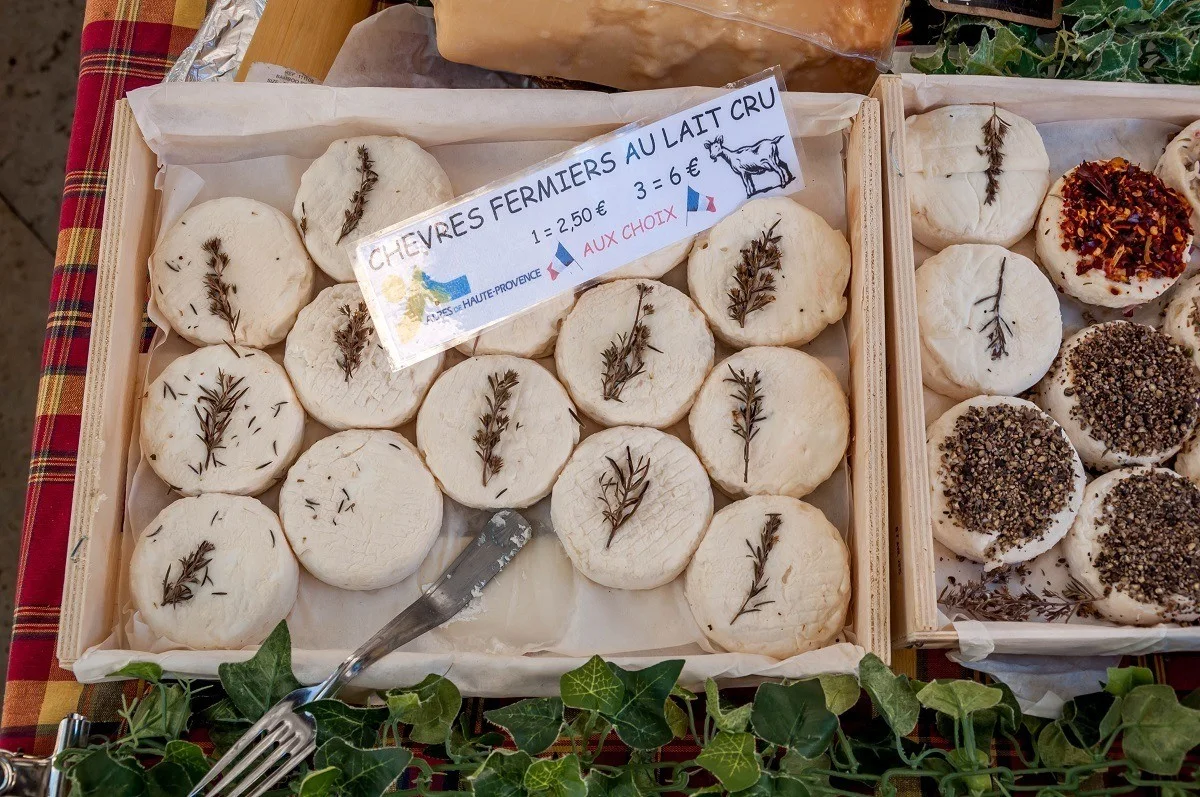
[221, 420]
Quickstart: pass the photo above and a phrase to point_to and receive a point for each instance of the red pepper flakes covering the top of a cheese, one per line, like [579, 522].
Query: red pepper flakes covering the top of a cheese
[1125, 221]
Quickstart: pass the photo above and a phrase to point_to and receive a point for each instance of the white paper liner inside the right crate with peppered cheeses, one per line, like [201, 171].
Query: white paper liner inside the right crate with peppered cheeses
[1072, 134]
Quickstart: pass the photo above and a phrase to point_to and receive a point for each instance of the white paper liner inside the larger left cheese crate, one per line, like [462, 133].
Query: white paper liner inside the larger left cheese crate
[541, 619]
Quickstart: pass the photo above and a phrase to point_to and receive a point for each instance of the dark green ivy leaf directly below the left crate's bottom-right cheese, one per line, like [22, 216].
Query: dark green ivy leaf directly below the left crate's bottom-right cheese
[794, 717]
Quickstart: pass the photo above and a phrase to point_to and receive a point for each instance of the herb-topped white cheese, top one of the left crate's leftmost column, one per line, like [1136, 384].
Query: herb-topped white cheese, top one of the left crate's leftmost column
[232, 269]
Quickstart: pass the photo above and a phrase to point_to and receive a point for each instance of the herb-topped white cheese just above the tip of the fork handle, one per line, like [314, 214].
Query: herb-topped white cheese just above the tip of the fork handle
[496, 432]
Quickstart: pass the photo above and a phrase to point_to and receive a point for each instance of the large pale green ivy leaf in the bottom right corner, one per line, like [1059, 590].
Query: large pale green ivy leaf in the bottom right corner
[1159, 730]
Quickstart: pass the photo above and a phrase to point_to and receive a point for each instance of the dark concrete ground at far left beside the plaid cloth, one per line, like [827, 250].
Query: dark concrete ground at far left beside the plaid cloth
[39, 67]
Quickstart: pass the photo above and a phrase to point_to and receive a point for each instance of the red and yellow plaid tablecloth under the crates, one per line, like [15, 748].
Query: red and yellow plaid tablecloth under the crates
[130, 44]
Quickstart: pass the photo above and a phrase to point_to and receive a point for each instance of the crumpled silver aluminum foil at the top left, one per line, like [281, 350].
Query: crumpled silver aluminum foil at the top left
[221, 43]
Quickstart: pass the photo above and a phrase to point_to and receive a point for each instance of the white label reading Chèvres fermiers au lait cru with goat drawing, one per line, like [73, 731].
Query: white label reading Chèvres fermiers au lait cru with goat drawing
[441, 279]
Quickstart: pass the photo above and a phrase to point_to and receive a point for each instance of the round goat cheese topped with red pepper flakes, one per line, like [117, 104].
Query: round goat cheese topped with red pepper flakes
[1114, 236]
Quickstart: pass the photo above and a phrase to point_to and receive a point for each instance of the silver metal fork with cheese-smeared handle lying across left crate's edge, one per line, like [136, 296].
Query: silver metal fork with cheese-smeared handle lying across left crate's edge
[286, 735]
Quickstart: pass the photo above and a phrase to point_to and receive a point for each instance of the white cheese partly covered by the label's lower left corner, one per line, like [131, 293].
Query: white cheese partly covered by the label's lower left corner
[343, 373]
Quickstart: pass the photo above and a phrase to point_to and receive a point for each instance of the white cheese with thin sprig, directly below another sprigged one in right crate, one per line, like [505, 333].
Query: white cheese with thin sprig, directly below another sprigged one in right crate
[991, 322]
